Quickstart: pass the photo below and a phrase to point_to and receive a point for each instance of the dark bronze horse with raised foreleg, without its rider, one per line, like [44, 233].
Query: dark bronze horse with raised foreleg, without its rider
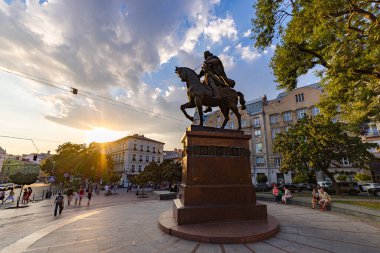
[200, 95]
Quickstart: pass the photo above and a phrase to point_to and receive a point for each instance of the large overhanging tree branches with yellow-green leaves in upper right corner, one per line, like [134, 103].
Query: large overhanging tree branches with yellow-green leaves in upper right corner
[340, 38]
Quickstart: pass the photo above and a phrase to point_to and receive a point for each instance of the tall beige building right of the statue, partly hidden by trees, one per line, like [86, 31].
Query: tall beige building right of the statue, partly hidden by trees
[264, 119]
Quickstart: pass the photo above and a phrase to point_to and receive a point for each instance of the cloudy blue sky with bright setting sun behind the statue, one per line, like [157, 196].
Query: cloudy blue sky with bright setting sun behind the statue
[121, 56]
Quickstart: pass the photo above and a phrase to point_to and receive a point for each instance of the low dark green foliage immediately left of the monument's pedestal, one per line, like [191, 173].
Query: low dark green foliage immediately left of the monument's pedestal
[158, 173]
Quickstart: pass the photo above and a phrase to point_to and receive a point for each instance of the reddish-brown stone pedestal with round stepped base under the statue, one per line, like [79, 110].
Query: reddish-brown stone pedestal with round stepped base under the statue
[217, 201]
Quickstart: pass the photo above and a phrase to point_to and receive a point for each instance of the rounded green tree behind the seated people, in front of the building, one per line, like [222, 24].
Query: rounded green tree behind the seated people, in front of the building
[317, 143]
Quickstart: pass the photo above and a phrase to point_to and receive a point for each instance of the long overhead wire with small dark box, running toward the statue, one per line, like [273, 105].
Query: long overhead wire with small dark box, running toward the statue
[93, 95]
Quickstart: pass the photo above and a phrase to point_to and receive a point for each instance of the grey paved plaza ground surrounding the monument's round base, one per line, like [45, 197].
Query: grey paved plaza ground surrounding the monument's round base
[132, 227]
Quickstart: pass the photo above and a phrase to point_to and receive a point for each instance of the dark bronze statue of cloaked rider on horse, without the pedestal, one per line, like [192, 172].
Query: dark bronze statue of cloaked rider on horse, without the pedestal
[215, 90]
